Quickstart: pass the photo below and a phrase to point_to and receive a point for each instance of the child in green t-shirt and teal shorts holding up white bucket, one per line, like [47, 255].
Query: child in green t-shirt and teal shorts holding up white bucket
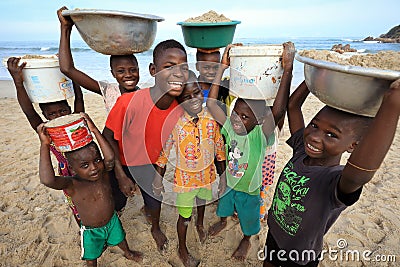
[247, 132]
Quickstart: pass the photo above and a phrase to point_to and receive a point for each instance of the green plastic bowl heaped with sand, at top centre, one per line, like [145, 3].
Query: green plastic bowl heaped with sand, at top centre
[208, 35]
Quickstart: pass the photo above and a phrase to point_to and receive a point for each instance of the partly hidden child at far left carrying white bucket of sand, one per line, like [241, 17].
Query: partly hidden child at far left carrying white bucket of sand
[50, 110]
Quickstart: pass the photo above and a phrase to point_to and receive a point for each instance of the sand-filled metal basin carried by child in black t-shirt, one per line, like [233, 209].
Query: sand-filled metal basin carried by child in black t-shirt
[353, 89]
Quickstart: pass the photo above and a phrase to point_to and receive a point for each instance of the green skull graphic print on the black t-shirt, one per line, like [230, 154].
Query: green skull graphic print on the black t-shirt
[287, 205]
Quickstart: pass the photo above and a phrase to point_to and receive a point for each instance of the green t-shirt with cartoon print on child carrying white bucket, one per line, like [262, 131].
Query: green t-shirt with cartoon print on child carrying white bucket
[245, 156]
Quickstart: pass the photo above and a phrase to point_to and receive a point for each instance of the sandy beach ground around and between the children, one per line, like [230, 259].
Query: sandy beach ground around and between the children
[37, 227]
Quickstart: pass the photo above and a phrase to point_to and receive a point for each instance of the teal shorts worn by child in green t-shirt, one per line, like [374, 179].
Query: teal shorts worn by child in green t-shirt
[247, 207]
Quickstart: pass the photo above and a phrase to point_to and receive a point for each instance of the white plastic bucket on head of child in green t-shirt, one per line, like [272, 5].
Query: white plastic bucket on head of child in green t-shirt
[256, 71]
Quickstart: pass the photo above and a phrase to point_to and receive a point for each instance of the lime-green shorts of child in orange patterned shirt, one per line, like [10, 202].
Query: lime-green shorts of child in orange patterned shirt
[185, 201]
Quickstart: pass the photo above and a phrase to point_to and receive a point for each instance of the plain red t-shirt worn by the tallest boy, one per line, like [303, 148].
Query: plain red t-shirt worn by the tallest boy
[140, 127]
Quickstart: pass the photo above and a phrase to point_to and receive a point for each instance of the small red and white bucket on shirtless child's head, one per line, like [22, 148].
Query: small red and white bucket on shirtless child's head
[69, 132]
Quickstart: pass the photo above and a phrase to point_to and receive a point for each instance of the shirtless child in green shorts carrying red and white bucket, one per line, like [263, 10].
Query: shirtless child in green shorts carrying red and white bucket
[90, 190]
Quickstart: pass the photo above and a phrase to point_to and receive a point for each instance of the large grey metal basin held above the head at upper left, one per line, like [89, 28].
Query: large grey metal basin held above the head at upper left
[115, 32]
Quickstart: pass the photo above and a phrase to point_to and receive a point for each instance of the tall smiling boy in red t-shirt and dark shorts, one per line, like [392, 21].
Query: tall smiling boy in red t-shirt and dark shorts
[137, 126]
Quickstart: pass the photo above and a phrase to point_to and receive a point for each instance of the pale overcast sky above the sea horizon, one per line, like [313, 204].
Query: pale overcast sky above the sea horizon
[37, 19]
